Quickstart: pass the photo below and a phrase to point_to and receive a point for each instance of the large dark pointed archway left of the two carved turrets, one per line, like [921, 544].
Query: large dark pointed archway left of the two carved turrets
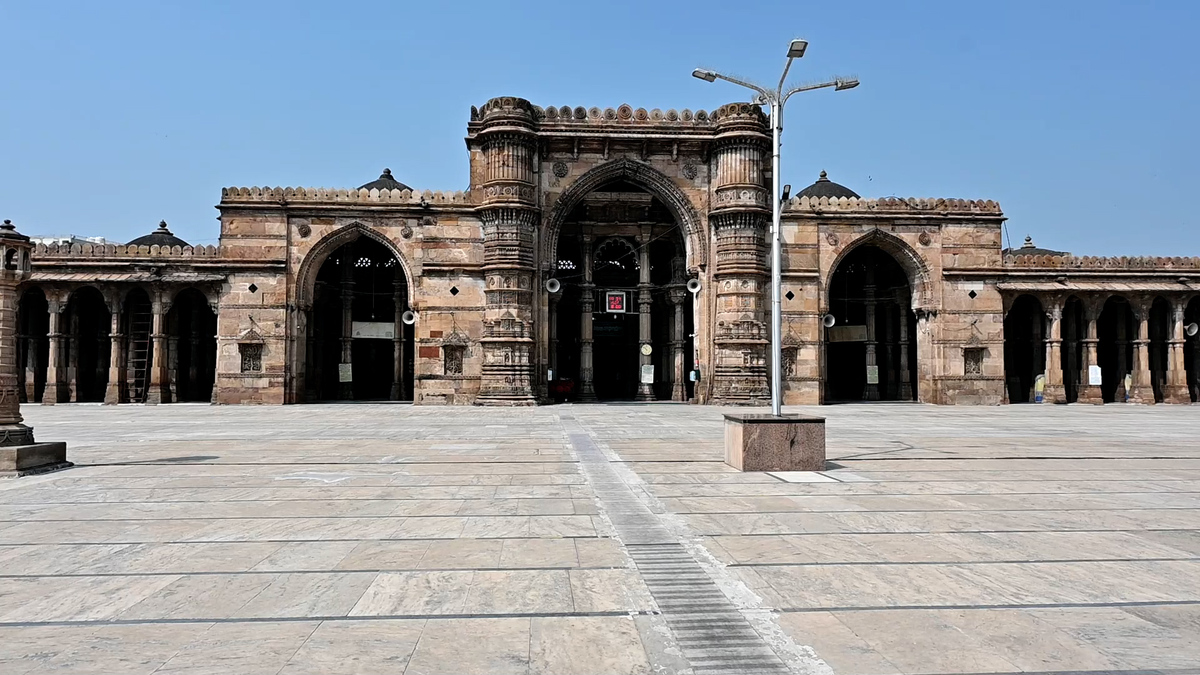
[361, 290]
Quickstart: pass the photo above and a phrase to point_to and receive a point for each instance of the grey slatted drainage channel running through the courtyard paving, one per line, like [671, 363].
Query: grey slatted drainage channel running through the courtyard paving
[712, 635]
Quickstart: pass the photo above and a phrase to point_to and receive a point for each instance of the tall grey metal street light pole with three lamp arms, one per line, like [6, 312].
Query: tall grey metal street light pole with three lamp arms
[776, 100]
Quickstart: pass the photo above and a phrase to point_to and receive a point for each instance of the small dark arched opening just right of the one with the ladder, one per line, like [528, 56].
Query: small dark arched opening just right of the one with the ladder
[194, 348]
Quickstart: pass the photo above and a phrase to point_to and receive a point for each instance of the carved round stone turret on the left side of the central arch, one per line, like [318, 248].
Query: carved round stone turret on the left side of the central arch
[505, 134]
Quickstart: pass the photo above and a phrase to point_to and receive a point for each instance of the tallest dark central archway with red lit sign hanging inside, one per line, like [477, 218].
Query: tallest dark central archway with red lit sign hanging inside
[603, 249]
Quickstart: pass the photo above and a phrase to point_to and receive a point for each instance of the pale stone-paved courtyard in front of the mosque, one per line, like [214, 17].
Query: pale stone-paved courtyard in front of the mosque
[575, 540]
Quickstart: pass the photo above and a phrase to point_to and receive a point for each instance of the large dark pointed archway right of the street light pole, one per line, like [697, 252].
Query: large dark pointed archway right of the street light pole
[872, 349]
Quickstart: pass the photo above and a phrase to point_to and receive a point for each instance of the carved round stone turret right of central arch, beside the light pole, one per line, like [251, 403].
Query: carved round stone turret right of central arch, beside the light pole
[740, 220]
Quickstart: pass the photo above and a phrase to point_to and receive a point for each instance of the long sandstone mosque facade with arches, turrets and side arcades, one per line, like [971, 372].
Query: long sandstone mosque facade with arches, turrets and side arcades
[613, 254]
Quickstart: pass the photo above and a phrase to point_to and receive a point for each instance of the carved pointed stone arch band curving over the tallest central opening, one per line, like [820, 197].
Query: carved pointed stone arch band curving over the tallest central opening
[644, 176]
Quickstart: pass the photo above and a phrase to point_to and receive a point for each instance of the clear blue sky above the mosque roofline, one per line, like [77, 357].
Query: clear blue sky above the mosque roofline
[1081, 118]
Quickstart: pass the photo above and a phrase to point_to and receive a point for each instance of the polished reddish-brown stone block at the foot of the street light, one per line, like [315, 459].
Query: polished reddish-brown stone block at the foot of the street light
[764, 443]
